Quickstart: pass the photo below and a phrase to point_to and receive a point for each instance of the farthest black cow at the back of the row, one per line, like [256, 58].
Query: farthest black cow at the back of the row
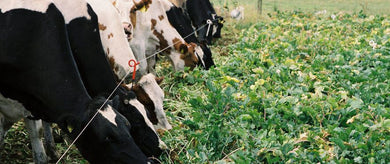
[201, 13]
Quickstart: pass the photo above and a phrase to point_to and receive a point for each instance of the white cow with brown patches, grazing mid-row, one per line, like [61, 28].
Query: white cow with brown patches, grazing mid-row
[152, 32]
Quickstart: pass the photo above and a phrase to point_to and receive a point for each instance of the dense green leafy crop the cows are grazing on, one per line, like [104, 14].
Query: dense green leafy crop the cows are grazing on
[299, 88]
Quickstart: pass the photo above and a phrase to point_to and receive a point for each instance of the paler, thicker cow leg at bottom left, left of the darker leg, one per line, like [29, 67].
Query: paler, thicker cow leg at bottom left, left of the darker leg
[34, 128]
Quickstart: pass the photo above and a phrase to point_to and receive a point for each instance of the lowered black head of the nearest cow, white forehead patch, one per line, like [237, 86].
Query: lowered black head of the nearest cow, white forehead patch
[107, 139]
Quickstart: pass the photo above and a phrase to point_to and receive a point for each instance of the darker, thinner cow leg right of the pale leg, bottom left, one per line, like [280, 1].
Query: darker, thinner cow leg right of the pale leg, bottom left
[49, 142]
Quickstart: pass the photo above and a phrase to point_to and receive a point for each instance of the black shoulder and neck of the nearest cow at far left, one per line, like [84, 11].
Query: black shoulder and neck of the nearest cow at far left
[34, 58]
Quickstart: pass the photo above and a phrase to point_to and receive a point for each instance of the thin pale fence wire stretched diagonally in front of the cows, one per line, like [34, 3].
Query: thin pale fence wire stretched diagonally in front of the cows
[108, 98]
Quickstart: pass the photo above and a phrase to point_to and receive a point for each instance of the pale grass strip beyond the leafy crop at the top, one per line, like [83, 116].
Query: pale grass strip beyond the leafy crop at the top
[370, 7]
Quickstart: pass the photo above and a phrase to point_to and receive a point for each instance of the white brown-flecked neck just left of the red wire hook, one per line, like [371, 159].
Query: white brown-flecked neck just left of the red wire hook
[117, 44]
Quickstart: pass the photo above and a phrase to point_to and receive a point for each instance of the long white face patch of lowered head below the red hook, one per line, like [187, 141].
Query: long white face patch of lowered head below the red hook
[156, 94]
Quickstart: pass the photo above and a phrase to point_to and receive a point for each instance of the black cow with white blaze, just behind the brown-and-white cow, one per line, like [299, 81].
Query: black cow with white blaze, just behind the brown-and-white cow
[182, 24]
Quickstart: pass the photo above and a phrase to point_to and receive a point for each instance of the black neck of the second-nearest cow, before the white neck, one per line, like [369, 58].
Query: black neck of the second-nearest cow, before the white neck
[89, 55]
